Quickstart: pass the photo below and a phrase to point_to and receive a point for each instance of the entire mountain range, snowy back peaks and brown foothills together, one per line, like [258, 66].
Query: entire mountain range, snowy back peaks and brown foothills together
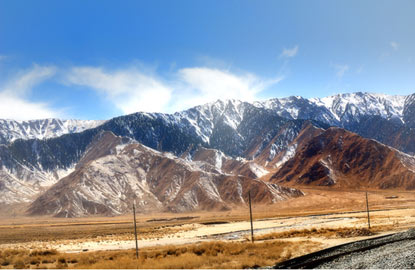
[210, 156]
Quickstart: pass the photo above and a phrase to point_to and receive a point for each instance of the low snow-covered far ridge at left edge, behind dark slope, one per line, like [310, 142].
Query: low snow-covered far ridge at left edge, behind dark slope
[11, 130]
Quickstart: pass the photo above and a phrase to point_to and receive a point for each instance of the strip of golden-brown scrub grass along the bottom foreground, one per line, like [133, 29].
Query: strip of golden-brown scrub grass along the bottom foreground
[213, 254]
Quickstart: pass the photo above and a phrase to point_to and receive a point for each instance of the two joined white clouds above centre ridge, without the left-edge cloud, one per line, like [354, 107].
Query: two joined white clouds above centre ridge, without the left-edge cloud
[131, 90]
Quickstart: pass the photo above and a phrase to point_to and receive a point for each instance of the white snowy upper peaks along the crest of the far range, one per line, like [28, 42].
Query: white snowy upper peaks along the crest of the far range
[334, 110]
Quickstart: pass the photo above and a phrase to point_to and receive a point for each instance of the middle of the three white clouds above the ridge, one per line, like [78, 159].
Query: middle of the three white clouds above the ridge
[129, 90]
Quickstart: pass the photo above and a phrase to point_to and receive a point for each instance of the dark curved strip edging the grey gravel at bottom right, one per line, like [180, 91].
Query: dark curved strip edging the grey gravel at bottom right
[313, 260]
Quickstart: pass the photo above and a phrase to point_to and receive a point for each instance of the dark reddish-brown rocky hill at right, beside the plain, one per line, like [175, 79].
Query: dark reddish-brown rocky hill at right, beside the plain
[344, 159]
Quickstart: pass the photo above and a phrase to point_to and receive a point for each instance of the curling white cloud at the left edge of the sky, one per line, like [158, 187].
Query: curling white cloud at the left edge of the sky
[14, 103]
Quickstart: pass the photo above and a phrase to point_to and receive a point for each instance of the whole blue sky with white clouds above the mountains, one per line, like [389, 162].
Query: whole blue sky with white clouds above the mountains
[100, 59]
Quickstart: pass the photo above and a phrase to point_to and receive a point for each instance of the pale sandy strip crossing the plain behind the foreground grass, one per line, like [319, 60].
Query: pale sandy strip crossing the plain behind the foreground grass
[398, 219]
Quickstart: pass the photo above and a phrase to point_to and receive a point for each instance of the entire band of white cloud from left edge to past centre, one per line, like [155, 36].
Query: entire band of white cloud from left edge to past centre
[131, 89]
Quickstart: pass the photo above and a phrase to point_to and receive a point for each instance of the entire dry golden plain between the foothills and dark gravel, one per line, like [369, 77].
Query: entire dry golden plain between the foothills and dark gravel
[284, 230]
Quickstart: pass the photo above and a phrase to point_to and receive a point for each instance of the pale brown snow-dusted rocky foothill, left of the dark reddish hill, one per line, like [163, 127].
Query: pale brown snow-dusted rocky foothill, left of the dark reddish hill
[115, 172]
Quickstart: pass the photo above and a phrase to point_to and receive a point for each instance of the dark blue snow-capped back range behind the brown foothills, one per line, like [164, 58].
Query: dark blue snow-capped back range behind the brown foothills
[265, 134]
